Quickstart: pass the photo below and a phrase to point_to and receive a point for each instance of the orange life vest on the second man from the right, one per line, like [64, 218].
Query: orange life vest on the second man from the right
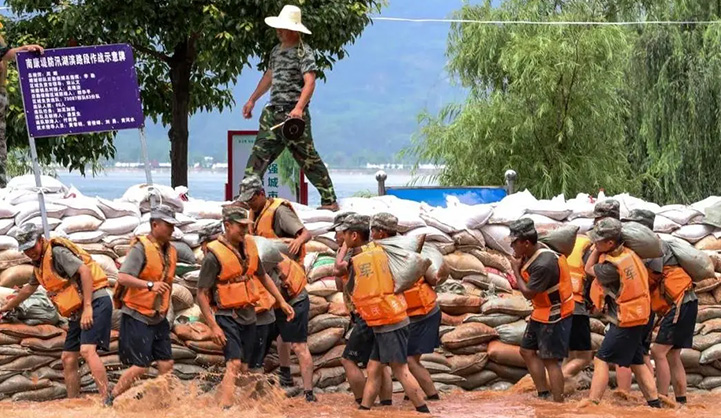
[633, 298]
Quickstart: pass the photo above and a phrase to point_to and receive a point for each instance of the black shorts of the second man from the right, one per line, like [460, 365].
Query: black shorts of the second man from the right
[623, 346]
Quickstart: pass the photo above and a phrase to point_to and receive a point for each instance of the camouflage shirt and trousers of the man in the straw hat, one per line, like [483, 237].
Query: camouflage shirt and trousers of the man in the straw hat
[288, 66]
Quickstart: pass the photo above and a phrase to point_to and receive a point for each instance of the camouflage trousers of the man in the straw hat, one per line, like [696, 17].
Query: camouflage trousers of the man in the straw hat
[270, 144]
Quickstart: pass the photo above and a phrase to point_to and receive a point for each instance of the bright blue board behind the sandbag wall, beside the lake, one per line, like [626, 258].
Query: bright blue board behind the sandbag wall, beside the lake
[436, 196]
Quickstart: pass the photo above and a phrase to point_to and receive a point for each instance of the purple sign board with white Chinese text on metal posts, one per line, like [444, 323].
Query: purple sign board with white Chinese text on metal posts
[70, 91]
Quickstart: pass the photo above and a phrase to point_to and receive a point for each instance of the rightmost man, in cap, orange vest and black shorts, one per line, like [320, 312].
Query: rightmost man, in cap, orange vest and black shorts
[673, 299]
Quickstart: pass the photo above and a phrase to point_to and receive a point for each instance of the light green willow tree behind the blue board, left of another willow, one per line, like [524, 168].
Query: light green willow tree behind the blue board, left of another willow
[543, 100]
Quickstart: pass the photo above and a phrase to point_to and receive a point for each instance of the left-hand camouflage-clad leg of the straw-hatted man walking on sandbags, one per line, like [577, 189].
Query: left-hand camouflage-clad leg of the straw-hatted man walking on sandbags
[268, 144]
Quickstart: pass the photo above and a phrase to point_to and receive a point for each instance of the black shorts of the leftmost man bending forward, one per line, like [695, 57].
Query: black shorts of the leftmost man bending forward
[98, 334]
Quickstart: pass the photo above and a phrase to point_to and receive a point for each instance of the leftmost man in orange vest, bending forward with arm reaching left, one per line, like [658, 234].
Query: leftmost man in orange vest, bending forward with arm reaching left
[78, 288]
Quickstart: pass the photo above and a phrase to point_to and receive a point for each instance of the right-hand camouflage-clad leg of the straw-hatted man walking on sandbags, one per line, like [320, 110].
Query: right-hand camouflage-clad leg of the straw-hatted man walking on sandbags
[305, 154]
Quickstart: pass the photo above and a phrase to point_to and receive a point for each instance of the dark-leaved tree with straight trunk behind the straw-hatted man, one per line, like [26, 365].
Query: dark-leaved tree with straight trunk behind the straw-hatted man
[189, 52]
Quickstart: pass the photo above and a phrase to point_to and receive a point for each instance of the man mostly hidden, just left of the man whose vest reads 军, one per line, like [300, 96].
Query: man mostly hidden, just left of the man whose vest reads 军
[360, 337]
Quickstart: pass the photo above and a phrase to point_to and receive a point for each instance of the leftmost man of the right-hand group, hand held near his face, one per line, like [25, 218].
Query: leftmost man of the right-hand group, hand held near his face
[546, 282]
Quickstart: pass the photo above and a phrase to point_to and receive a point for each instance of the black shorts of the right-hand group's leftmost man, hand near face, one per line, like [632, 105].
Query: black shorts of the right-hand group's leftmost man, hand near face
[550, 340]
